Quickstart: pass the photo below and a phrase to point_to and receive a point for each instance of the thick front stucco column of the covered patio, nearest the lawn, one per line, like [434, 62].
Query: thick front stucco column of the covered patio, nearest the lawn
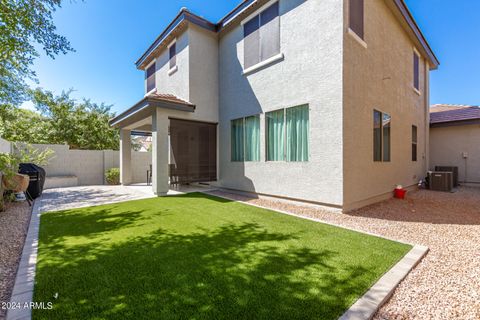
[160, 125]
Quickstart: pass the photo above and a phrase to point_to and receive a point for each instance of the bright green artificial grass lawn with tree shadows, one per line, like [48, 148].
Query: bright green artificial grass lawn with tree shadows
[201, 257]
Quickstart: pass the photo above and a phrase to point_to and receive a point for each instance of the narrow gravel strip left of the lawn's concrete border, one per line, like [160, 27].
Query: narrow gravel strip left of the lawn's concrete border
[13, 229]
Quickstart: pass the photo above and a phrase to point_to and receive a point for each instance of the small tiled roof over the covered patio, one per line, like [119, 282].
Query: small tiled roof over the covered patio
[154, 100]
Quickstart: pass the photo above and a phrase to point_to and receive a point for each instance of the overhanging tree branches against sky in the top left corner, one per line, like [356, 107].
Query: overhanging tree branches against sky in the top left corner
[24, 23]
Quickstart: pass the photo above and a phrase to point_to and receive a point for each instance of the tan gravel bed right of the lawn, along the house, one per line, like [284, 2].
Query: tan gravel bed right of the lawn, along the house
[446, 284]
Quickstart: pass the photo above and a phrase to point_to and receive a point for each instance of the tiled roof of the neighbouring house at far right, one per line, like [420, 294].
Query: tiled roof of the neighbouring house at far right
[441, 115]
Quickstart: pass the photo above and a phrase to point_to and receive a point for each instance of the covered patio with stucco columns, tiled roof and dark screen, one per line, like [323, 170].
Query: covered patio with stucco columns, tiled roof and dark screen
[183, 150]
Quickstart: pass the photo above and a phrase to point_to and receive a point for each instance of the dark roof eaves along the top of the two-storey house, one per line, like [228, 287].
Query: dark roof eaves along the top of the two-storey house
[246, 6]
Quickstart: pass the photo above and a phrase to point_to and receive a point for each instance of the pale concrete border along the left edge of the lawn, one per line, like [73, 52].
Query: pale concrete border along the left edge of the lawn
[22, 294]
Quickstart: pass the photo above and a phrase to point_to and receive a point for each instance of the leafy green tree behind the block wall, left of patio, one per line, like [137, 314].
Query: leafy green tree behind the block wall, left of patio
[60, 120]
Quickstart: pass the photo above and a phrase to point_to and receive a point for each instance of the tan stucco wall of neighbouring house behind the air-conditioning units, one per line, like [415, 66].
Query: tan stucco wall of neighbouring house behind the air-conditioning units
[447, 145]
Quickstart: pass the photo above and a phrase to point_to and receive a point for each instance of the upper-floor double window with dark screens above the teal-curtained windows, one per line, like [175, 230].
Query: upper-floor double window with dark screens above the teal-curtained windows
[258, 15]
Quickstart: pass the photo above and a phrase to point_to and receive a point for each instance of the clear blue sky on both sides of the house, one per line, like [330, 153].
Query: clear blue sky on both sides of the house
[109, 36]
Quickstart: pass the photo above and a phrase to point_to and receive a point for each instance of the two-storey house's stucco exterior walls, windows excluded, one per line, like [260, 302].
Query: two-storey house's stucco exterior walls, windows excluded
[341, 78]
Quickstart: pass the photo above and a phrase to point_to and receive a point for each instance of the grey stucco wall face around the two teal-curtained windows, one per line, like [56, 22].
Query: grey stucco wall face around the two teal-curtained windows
[312, 77]
